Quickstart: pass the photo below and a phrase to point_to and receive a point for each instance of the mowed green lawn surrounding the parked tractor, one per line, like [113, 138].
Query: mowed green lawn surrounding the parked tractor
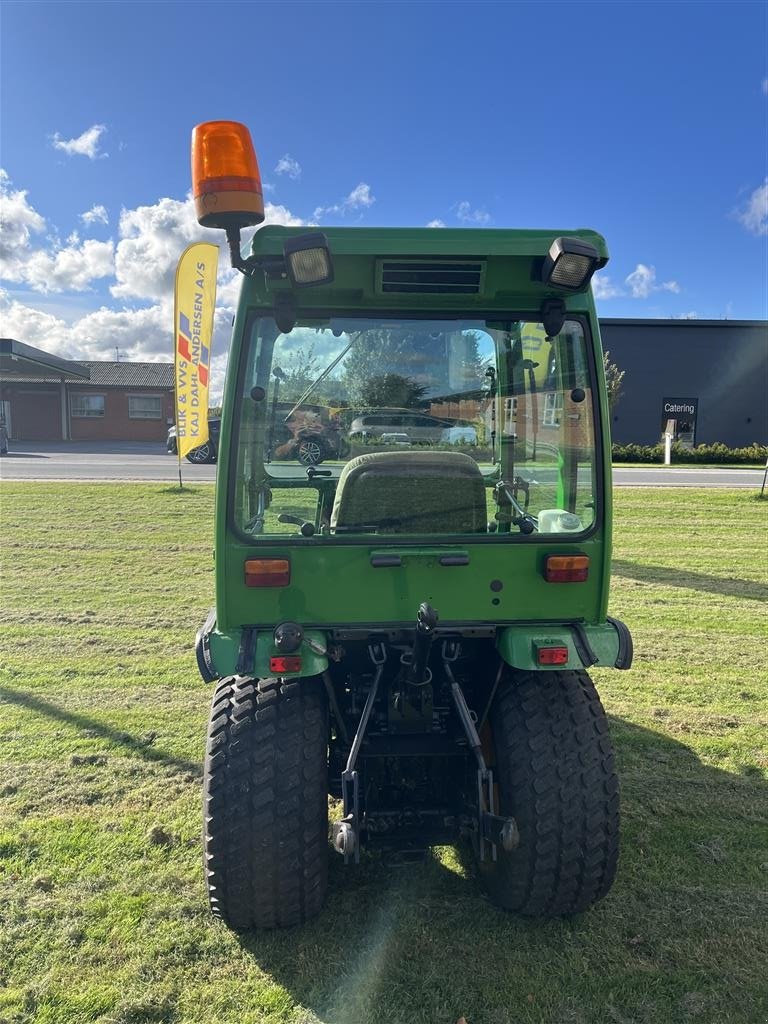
[103, 914]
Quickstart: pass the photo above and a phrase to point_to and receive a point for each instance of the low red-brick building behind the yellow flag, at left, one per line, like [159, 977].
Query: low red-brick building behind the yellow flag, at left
[44, 398]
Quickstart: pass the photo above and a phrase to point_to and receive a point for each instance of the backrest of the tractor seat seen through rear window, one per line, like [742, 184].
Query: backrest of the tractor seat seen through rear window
[411, 493]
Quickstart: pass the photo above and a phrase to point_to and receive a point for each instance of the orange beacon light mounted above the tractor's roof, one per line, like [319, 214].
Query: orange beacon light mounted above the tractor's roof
[227, 183]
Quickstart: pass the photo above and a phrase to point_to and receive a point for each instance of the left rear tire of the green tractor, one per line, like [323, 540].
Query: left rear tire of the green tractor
[266, 802]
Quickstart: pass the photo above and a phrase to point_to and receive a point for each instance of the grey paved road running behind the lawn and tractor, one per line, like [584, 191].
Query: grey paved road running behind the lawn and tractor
[125, 461]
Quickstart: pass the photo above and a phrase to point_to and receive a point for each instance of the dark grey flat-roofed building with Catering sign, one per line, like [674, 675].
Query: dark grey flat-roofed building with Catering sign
[710, 377]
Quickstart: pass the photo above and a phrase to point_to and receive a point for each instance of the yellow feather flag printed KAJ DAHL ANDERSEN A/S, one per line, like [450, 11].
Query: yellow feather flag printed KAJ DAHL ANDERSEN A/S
[195, 303]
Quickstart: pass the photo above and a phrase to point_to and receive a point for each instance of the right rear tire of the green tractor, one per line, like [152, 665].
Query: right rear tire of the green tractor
[554, 767]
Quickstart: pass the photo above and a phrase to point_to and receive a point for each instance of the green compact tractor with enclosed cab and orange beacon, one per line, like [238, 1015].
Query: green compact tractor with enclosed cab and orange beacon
[408, 627]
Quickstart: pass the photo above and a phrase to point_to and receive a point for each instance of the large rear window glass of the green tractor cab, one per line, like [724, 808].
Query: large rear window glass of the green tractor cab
[436, 425]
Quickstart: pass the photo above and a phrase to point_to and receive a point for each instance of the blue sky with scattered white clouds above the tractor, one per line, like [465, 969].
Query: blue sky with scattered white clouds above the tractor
[648, 122]
